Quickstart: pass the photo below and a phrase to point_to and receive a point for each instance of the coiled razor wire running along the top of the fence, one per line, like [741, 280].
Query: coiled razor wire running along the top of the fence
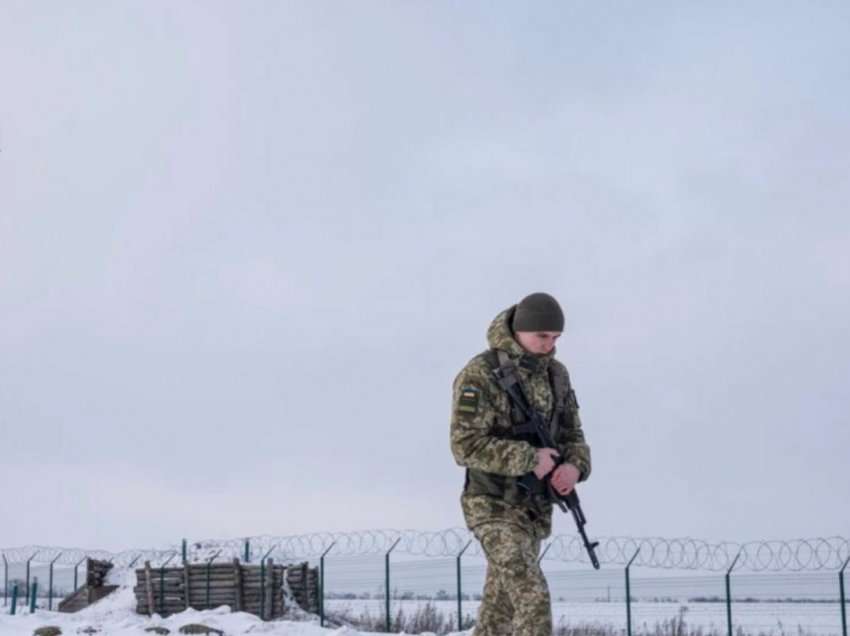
[795, 555]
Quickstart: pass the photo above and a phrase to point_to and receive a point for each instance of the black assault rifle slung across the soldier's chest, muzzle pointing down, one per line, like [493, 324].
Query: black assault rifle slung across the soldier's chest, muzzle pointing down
[539, 431]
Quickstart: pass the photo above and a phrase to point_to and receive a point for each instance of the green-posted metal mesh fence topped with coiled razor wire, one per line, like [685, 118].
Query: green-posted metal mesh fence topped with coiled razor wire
[757, 587]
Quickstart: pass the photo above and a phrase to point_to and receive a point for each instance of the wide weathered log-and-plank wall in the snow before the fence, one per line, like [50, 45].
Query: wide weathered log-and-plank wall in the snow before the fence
[257, 589]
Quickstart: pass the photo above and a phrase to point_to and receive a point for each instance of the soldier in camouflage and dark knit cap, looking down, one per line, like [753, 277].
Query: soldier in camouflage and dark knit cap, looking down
[487, 439]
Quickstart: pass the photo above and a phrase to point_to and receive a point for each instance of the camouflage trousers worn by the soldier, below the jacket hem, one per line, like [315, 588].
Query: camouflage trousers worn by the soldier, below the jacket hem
[516, 597]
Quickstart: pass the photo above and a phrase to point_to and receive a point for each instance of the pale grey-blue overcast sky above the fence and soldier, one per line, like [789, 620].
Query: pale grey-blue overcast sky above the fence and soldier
[245, 248]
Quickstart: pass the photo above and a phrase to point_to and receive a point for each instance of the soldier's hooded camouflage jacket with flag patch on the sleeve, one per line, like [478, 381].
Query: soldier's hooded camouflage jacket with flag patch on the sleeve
[483, 442]
